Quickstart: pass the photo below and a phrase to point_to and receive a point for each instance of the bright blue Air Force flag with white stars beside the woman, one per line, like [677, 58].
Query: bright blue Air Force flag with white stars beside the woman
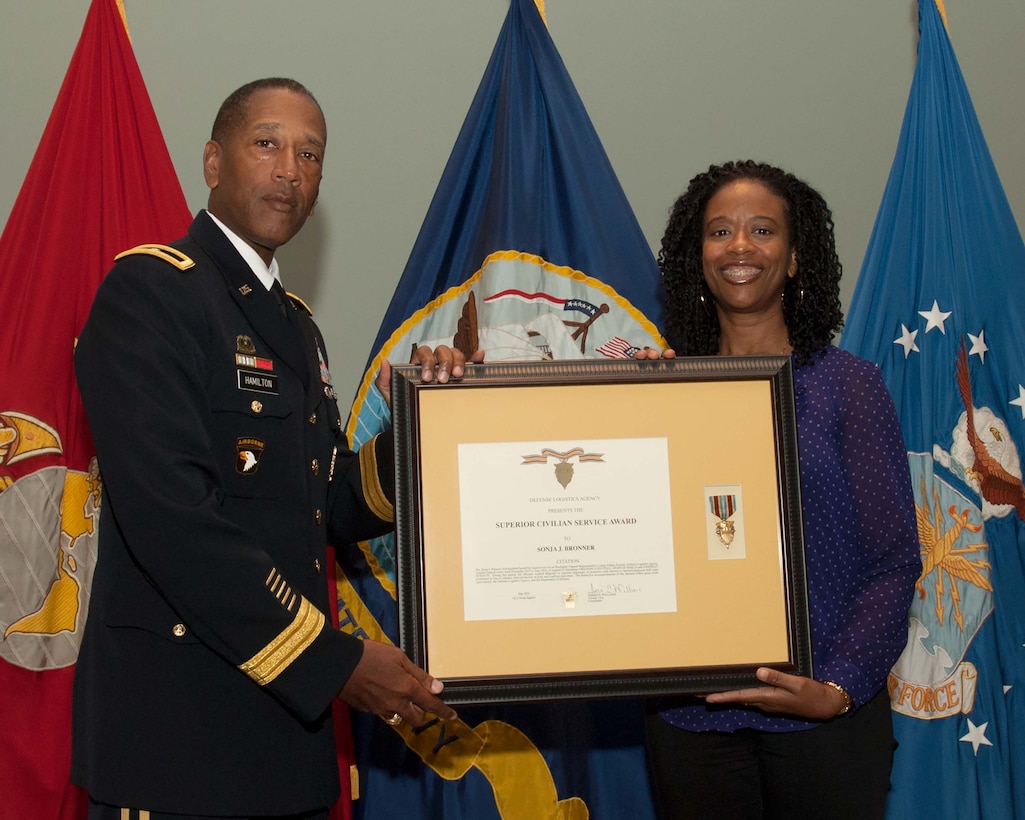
[938, 306]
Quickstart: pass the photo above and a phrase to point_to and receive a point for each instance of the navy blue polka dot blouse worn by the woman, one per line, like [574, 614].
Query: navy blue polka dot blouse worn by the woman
[862, 540]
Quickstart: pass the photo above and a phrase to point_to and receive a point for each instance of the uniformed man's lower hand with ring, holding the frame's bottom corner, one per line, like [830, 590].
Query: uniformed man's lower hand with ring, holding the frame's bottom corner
[387, 683]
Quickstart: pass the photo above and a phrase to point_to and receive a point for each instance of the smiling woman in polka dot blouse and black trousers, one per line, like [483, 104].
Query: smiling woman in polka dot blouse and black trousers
[750, 267]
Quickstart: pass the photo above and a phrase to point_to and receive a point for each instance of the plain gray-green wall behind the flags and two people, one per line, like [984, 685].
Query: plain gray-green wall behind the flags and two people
[817, 87]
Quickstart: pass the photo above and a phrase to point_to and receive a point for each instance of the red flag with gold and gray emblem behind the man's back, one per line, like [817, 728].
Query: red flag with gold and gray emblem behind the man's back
[102, 181]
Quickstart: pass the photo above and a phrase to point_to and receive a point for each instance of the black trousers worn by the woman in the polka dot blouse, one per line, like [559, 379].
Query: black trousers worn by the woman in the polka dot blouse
[836, 771]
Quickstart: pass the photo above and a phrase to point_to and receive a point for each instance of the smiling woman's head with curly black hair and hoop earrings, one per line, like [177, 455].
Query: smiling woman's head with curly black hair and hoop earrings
[750, 264]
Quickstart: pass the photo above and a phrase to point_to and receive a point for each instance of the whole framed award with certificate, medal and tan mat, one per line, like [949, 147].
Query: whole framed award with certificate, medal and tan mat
[600, 528]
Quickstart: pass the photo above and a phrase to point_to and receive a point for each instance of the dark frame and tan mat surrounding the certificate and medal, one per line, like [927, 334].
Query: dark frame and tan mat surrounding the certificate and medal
[732, 405]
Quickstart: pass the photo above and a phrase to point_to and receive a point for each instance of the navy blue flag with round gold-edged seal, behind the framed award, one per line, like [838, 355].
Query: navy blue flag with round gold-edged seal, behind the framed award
[529, 252]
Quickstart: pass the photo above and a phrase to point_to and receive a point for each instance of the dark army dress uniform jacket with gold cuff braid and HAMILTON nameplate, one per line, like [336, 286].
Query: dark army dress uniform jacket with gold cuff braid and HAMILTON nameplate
[209, 666]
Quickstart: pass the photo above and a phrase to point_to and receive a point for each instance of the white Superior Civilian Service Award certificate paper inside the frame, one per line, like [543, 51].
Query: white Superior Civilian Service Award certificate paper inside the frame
[557, 529]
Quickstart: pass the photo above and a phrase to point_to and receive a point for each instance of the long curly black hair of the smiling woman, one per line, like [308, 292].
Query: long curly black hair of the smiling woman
[811, 300]
